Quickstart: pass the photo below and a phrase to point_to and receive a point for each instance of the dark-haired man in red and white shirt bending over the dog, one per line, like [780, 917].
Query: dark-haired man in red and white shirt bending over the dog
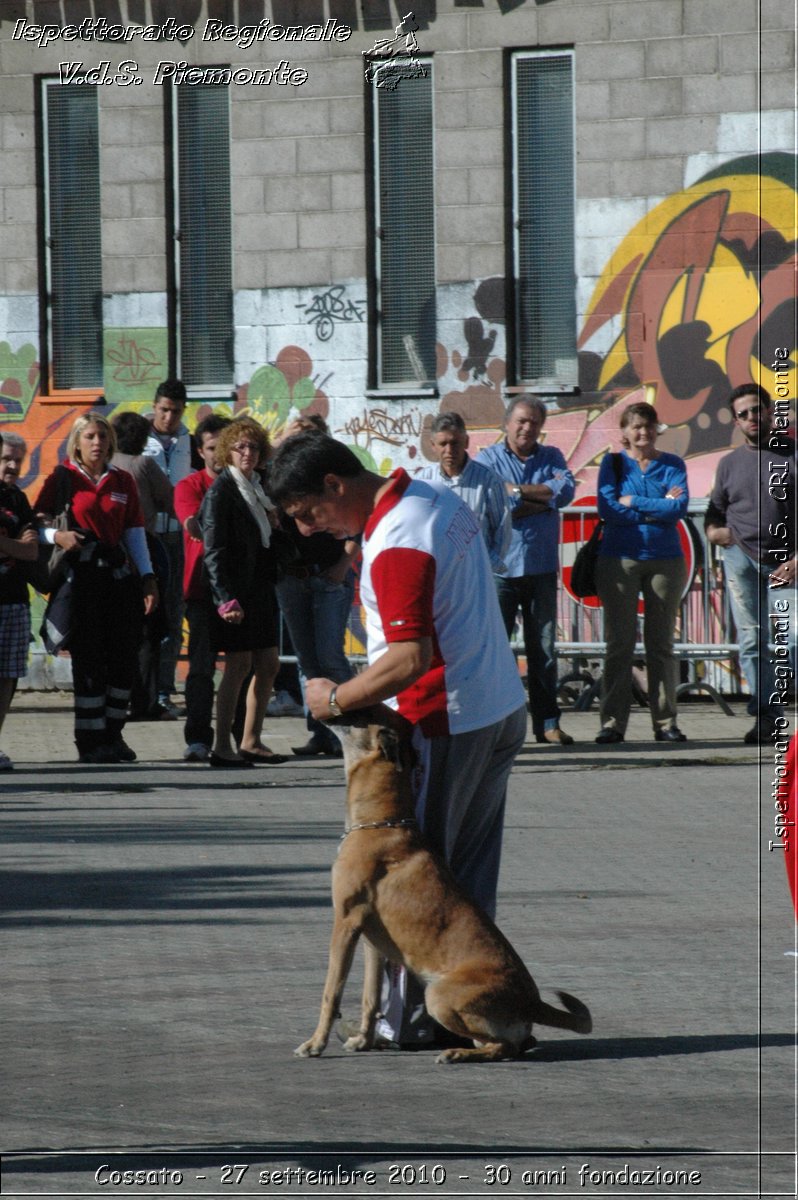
[437, 647]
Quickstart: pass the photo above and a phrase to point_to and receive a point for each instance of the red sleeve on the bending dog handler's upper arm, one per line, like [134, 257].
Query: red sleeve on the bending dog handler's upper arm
[404, 583]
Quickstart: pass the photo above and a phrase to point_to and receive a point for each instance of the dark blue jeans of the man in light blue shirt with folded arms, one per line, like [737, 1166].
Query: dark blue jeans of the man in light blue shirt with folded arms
[537, 597]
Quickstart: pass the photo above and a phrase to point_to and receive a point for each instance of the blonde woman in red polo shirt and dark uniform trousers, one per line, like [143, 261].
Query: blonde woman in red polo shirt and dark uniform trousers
[113, 584]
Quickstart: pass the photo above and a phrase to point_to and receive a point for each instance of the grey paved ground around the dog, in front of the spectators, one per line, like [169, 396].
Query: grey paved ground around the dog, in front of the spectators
[164, 951]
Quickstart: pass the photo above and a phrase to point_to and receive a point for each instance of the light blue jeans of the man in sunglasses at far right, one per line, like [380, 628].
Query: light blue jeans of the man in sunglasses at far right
[753, 608]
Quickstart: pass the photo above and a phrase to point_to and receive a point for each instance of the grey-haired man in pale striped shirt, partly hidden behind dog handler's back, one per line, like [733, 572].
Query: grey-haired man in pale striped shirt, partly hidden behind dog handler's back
[477, 487]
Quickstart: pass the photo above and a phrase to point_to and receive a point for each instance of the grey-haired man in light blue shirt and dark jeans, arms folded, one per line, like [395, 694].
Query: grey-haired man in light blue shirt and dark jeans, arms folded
[538, 483]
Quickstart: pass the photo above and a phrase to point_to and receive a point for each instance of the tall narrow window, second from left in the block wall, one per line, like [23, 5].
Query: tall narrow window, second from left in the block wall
[203, 262]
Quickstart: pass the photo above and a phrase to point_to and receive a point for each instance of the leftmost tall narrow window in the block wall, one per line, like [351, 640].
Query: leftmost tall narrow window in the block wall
[71, 225]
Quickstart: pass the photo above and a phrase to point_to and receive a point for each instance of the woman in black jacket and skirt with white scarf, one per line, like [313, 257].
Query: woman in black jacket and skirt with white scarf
[237, 519]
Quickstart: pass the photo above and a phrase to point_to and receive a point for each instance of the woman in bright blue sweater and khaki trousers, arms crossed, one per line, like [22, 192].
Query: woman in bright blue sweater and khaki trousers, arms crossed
[643, 496]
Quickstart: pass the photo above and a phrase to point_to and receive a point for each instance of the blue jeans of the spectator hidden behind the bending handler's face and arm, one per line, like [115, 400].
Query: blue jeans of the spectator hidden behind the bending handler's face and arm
[316, 613]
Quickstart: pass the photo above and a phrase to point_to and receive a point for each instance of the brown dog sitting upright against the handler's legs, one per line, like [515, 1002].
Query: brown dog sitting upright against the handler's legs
[391, 887]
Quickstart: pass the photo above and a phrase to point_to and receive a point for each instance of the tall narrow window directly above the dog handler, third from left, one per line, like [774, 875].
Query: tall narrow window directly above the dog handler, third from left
[404, 225]
